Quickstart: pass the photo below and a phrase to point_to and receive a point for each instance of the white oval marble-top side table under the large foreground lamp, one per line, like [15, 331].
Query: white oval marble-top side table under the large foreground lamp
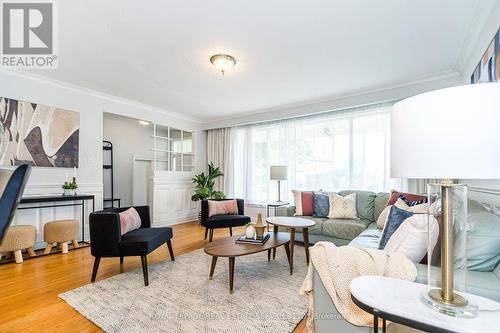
[399, 301]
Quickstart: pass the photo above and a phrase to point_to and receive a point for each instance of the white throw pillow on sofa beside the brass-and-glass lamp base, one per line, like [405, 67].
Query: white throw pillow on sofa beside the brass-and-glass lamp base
[410, 239]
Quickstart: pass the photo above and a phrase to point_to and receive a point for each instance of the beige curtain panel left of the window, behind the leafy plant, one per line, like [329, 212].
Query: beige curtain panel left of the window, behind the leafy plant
[220, 151]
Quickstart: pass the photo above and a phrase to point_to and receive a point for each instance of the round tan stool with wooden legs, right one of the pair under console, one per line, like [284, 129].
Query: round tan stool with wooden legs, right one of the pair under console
[61, 232]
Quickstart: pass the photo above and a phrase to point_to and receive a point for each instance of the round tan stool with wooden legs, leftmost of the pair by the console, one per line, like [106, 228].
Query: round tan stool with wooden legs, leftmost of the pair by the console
[18, 238]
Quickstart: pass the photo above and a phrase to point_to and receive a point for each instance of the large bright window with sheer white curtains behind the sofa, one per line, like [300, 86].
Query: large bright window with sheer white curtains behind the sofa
[334, 151]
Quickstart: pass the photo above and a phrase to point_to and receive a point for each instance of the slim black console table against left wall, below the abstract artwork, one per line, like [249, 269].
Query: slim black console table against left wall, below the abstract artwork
[51, 201]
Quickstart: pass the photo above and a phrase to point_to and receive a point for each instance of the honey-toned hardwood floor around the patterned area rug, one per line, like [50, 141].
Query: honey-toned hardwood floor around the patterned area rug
[28, 295]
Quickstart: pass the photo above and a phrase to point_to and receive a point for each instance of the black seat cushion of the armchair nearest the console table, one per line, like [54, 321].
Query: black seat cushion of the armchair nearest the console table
[143, 241]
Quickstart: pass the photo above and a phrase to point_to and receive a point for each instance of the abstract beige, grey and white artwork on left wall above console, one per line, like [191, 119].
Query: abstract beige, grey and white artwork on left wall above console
[38, 135]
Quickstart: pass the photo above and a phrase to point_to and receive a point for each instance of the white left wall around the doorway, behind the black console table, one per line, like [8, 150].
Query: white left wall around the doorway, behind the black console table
[90, 105]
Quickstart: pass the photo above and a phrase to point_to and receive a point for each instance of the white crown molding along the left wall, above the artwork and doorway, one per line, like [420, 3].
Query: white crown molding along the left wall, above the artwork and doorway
[94, 93]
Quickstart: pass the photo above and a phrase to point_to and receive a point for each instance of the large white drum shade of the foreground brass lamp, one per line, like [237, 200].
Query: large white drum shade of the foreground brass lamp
[448, 133]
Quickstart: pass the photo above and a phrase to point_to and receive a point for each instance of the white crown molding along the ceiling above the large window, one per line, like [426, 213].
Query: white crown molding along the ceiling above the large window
[392, 93]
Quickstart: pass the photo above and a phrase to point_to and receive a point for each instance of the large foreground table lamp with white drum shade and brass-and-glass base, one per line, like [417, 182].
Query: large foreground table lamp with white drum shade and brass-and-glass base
[450, 134]
